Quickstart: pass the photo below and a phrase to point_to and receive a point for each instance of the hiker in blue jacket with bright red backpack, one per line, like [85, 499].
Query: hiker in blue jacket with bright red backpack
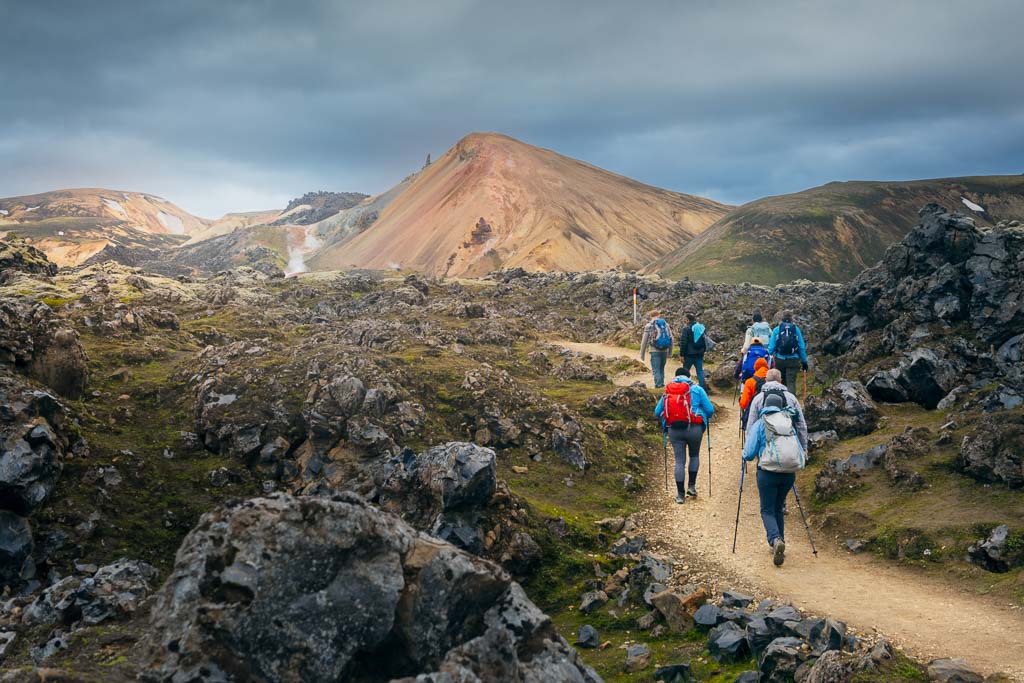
[686, 411]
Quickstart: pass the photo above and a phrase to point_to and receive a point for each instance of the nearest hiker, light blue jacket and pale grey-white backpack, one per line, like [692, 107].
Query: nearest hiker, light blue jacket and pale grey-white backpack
[776, 443]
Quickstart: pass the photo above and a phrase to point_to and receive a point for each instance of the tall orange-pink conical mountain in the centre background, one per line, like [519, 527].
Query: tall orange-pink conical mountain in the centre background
[494, 202]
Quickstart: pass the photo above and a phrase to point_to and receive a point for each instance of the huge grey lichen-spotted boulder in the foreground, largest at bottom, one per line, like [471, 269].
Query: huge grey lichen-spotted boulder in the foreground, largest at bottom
[316, 589]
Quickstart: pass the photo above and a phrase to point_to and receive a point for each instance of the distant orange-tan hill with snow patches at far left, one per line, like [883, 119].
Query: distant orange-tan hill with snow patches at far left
[71, 226]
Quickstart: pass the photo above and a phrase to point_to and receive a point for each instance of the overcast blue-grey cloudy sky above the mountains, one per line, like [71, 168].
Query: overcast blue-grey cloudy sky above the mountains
[223, 106]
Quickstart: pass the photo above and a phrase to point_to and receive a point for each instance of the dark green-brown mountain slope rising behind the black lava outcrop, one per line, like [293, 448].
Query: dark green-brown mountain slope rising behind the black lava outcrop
[834, 232]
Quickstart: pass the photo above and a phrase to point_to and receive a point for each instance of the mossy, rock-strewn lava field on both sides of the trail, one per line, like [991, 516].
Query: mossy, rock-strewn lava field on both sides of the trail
[247, 478]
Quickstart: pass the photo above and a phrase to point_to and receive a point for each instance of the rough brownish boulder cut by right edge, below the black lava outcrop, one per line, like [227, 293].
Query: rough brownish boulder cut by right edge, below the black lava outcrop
[995, 452]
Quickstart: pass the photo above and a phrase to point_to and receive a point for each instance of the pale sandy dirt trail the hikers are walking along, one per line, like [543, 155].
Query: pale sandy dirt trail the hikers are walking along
[926, 616]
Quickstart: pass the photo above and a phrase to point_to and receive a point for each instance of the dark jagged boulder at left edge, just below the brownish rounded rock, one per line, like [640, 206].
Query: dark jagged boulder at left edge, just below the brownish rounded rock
[32, 446]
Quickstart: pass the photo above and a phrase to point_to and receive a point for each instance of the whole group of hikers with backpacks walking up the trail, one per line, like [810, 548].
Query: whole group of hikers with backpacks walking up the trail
[773, 426]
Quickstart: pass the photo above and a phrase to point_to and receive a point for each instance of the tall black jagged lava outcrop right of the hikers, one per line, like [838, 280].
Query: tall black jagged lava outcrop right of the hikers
[949, 291]
